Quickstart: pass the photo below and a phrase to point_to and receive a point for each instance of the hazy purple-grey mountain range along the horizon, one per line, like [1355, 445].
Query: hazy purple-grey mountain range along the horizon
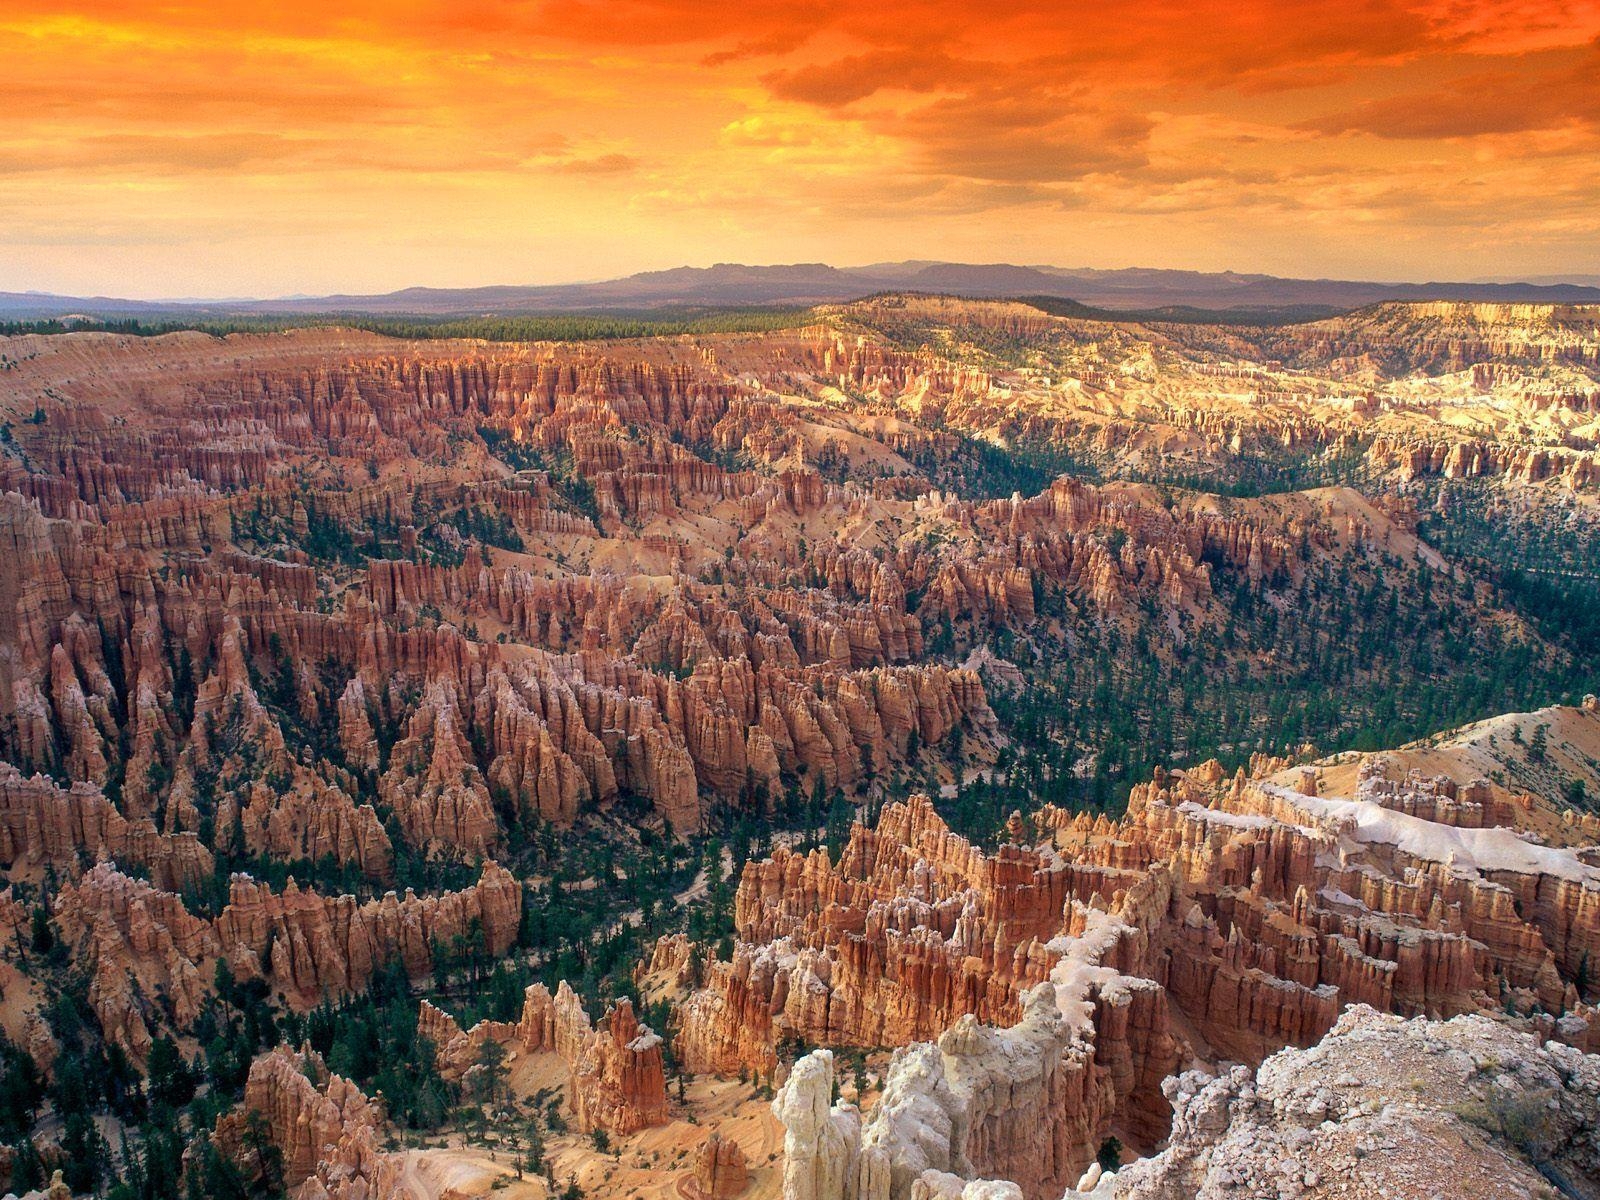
[730, 284]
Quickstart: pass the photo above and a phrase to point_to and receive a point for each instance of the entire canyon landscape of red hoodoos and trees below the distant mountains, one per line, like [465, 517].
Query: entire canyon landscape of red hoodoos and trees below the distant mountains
[938, 750]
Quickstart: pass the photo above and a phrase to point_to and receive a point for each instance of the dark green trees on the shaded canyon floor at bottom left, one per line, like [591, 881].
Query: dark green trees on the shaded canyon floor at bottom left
[370, 1038]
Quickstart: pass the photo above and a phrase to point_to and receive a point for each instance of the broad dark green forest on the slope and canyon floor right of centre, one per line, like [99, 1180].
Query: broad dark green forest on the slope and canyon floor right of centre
[1351, 657]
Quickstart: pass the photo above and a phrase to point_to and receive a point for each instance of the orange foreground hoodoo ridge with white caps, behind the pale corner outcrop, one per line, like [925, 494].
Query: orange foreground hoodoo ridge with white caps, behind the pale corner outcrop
[1042, 994]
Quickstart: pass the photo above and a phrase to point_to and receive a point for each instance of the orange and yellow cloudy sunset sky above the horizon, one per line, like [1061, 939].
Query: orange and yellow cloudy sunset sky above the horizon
[231, 150]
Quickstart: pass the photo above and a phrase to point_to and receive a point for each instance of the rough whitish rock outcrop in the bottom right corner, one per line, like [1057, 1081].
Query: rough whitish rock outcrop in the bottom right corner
[1388, 1108]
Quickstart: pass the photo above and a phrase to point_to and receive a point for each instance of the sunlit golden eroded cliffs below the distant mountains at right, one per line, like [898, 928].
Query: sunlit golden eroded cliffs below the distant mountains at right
[1399, 386]
